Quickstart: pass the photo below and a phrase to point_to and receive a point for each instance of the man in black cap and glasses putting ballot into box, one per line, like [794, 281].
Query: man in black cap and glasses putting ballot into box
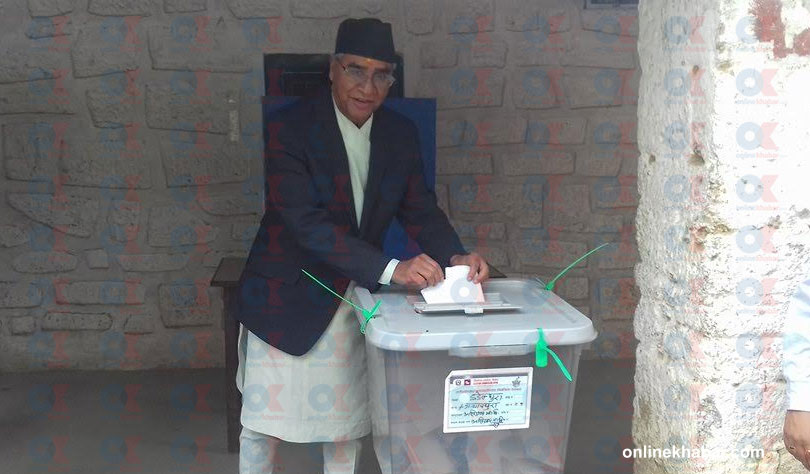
[339, 169]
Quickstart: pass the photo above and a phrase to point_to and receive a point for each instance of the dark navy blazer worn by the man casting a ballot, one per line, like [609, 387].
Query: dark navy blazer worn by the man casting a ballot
[310, 223]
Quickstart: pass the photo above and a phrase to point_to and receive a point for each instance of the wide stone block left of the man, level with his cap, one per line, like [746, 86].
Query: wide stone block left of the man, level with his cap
[199, 43]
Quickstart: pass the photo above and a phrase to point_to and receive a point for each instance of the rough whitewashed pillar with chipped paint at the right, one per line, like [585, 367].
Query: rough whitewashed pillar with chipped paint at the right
[724, 134]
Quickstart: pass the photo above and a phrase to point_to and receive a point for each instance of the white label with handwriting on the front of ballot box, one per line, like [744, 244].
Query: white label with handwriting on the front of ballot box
[487, 399]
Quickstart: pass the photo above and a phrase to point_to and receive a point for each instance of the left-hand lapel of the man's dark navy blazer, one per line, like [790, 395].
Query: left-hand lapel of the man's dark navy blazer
[334, 153]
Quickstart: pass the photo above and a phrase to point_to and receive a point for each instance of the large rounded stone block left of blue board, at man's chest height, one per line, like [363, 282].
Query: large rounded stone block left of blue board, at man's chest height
[201, 159]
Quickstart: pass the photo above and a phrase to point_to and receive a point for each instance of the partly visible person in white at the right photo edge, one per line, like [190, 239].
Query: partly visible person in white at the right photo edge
[796, 341]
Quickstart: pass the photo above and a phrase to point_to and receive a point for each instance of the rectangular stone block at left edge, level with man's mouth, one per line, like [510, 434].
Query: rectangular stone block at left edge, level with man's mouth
[37, 97]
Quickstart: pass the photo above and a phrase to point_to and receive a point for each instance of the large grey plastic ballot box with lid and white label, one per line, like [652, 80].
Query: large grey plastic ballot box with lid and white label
[457, 389]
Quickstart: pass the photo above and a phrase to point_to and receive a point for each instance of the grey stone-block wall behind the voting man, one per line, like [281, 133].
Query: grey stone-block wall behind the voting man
[131, 148]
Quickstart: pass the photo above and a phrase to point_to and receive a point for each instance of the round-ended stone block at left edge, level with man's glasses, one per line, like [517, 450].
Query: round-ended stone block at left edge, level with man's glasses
[22, 63]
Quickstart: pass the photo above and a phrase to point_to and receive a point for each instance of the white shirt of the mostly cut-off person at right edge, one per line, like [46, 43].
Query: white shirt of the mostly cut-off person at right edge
[796, 348]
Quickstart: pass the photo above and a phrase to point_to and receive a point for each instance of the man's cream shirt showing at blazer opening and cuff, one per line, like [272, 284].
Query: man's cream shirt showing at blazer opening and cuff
[358, 149]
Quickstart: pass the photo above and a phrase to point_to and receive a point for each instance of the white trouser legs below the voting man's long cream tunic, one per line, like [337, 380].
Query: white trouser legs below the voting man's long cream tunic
[257, 455]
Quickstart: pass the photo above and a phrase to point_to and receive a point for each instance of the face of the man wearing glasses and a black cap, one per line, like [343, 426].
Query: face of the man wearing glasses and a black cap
[358, 99]
